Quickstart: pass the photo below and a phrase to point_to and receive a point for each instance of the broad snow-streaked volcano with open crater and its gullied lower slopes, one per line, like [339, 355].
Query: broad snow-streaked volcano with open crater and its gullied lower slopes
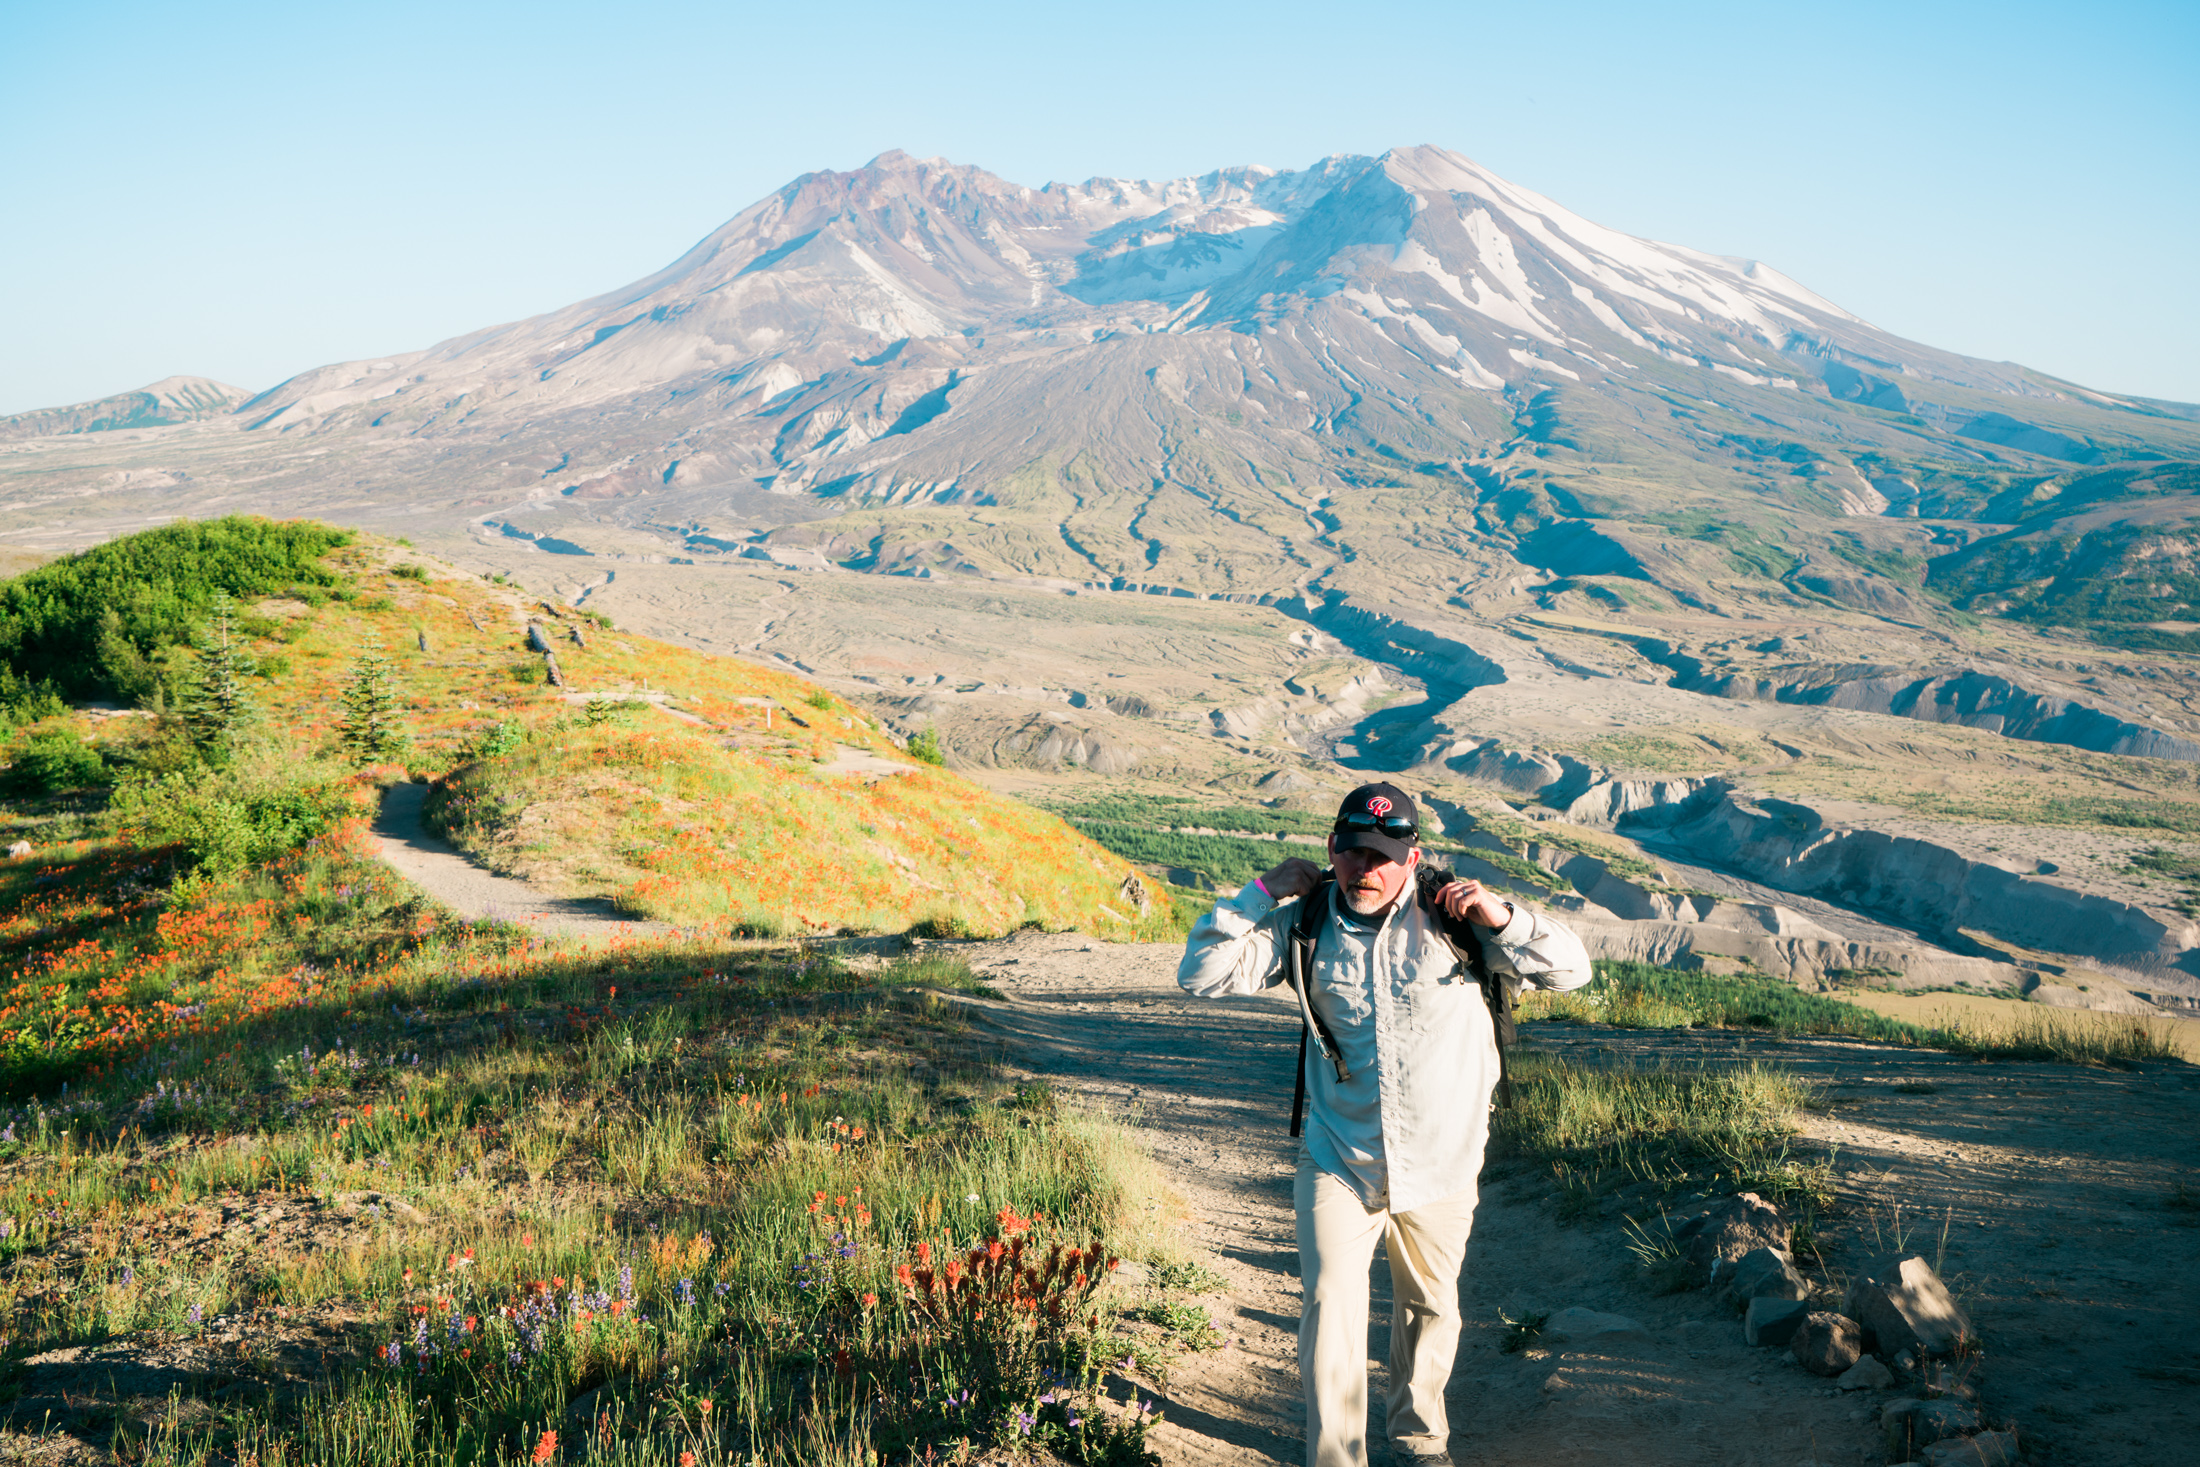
[1442, 419]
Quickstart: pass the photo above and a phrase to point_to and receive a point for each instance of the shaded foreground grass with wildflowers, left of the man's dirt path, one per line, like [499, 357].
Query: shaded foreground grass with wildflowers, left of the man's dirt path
[718, 1160]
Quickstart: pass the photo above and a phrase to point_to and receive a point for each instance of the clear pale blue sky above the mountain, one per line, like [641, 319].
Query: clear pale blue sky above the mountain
[252, 190]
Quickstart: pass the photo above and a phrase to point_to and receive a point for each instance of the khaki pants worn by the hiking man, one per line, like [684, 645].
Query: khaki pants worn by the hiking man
[1336, 1244]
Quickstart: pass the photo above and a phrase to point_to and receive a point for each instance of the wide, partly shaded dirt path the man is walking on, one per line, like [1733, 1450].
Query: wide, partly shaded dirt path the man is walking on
[2069, 1237]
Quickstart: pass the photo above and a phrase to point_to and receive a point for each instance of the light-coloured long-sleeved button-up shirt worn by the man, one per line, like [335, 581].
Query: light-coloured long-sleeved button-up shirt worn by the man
[1411, 1024]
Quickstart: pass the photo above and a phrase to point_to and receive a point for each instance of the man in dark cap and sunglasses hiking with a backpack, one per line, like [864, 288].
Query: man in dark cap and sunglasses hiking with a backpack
[1402, 986]
